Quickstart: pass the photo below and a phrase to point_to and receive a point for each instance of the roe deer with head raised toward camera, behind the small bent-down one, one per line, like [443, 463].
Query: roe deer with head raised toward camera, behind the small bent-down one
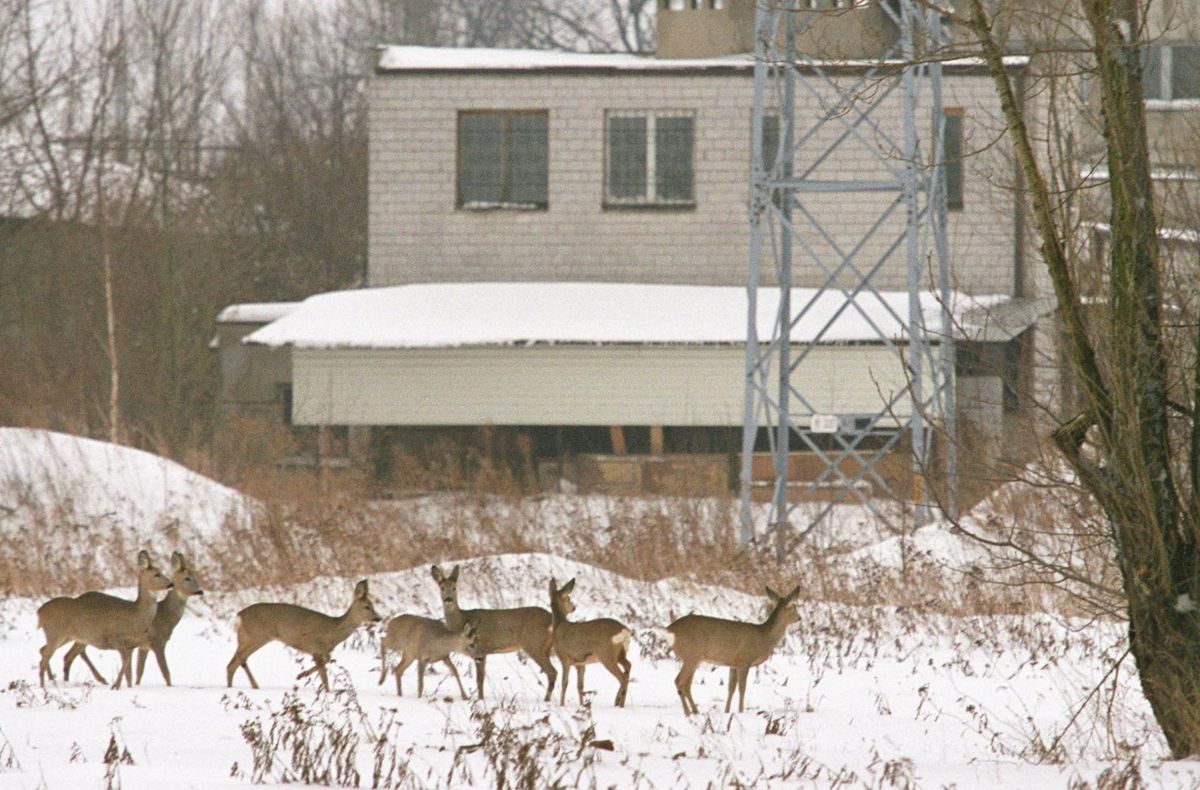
[500, 631]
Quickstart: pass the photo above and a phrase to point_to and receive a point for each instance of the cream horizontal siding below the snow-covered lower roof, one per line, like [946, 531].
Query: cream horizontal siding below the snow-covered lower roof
[568, 385]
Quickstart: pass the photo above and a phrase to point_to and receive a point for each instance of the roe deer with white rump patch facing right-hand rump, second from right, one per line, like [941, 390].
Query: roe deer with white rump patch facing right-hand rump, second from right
[581, 644]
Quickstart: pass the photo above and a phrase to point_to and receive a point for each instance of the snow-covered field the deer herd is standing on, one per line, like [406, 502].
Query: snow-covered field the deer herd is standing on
[856, 697]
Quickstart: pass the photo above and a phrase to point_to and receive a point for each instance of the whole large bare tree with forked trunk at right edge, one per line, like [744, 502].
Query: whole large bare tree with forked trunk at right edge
[1135, 445]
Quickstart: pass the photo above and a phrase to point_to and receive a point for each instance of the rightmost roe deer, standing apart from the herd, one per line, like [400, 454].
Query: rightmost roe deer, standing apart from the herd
[698, 641]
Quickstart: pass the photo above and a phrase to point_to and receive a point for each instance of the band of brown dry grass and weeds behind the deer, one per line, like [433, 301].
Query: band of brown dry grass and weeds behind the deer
[316, 524]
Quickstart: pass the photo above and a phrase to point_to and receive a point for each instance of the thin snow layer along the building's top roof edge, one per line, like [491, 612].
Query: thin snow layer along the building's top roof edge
[405, 58]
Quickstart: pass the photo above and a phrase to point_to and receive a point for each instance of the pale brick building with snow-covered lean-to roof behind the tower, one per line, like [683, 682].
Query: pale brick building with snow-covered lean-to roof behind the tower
[559, 249]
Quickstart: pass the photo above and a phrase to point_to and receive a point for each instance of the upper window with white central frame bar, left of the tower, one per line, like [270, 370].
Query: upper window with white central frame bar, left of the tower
[649, 159]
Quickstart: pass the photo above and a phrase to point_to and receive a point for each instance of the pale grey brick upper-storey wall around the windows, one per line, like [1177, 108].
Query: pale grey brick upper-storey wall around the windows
[418, 236]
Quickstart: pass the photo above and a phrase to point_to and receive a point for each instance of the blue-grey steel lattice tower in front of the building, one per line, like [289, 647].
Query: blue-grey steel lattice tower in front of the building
[850, 112]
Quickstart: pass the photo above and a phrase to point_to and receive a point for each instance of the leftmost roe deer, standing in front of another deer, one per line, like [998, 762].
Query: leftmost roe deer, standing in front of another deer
[103, 621]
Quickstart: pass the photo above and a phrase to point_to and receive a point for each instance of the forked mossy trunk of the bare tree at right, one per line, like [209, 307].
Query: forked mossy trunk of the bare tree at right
[1121, 446]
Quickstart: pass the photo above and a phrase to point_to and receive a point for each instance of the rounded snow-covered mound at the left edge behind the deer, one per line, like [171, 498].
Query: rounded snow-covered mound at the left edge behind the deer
[77, 486]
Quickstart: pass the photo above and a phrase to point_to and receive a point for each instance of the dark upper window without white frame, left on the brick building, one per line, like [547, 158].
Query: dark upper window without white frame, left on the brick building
[503, 160]
